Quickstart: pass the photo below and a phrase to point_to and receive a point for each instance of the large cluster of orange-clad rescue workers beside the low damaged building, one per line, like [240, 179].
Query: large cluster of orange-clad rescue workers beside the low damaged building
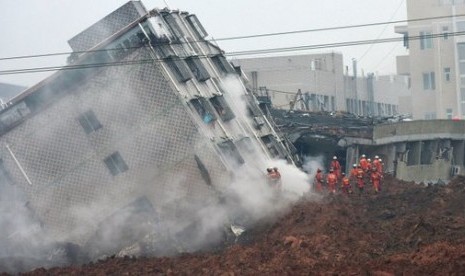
[361, 174]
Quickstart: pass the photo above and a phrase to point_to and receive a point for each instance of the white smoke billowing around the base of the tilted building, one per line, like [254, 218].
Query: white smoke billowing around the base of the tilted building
[245, 201]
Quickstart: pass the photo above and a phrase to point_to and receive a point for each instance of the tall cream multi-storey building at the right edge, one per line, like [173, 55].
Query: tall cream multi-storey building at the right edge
[436, 59]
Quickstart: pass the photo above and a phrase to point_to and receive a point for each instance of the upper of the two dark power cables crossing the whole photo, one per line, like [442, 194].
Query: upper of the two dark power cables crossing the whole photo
[251, 36]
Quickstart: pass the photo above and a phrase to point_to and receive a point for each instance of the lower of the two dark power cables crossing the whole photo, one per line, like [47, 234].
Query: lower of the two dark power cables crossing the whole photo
[250, 52]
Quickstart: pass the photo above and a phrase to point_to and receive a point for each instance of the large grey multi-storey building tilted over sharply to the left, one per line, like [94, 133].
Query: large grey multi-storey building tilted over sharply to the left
[148, 117]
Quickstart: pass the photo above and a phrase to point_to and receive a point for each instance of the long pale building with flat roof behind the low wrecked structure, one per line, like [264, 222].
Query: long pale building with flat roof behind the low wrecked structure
[319, 82]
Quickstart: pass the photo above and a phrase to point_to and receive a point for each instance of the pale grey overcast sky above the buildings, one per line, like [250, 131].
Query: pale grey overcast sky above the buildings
[44, 26]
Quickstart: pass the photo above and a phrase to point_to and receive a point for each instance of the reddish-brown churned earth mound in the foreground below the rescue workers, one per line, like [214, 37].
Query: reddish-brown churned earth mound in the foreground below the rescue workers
[407, 229]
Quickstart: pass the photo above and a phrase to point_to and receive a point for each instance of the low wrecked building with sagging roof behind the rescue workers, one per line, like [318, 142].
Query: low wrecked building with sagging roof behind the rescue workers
[428, 151]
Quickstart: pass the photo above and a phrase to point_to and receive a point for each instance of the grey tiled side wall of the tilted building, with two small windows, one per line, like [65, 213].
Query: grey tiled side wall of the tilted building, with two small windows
[143, 119]
